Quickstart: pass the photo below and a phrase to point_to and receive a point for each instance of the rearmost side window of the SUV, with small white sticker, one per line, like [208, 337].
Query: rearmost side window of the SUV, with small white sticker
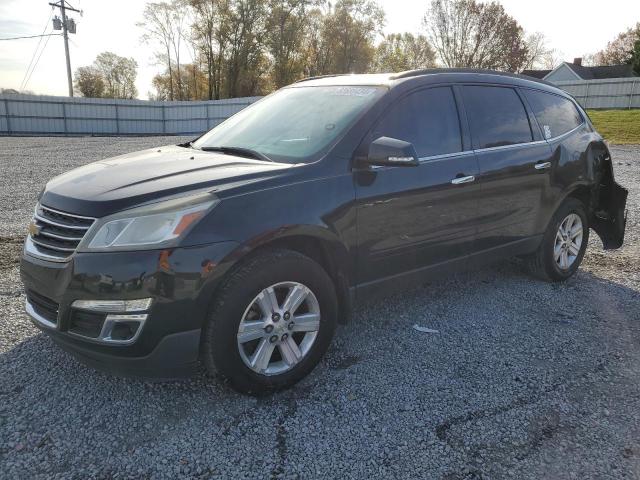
[556, 115]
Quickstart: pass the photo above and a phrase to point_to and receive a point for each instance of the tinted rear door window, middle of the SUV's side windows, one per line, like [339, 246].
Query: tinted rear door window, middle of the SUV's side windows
[496, 116]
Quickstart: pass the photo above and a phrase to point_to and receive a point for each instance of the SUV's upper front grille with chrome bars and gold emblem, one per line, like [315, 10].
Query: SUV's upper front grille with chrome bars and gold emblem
[57, 234]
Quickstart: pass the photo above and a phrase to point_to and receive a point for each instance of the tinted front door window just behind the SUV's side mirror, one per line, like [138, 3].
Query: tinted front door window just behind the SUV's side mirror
[428, 119]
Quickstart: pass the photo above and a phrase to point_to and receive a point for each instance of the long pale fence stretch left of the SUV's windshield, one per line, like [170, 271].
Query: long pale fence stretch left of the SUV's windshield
[47, 115]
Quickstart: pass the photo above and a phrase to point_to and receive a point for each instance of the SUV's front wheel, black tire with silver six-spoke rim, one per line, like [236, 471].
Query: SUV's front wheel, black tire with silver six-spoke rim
[244, 298]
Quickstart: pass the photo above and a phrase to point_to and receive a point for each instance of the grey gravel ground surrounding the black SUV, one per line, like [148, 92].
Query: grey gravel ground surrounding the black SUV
[524, 379]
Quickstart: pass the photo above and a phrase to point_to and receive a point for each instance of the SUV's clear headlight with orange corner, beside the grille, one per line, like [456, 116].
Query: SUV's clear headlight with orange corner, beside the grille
[157, 225]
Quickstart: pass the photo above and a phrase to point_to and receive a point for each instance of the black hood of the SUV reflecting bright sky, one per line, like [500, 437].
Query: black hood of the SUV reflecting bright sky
[111, 185]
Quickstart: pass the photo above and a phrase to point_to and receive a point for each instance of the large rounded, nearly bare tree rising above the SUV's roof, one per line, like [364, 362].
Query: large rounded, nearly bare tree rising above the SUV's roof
[466, 33]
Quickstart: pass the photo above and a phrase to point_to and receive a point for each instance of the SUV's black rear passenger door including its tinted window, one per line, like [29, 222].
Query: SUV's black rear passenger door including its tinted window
[514, 164]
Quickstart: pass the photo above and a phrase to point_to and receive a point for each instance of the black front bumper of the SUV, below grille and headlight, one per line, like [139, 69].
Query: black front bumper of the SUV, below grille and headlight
[181, 282]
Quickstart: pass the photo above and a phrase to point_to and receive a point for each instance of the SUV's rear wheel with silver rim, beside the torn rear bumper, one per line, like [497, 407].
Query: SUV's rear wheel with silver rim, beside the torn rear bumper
[544, 263]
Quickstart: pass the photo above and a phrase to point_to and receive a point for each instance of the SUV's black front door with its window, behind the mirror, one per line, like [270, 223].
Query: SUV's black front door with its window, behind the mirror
[409, 218]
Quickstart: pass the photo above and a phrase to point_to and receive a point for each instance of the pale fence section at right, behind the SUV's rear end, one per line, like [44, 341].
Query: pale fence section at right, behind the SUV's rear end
[608, 93]
